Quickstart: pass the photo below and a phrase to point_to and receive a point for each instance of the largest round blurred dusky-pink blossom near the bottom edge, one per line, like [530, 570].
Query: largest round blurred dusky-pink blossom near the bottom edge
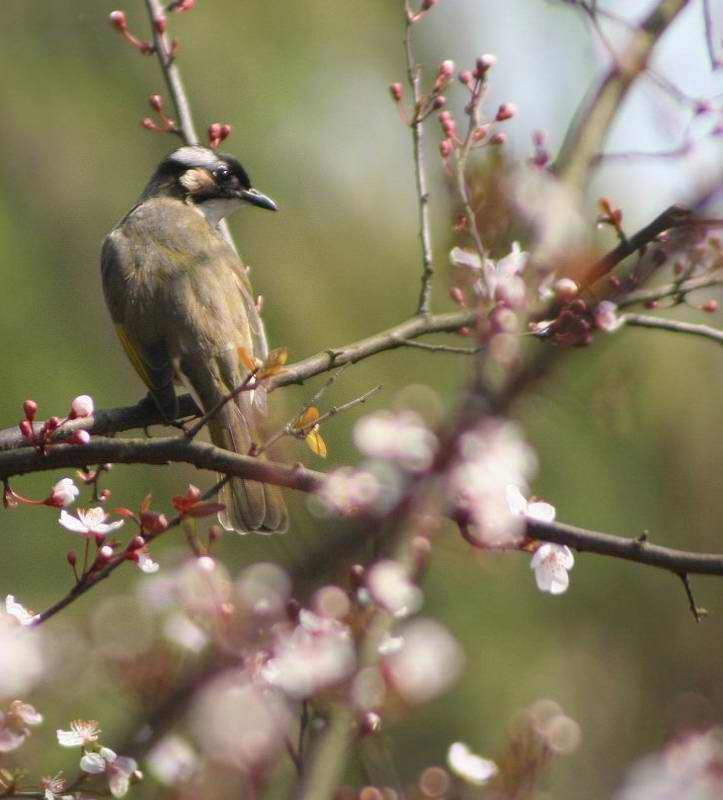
[240, 723]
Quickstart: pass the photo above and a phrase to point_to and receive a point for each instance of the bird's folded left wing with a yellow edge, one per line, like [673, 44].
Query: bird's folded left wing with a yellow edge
[149, 358]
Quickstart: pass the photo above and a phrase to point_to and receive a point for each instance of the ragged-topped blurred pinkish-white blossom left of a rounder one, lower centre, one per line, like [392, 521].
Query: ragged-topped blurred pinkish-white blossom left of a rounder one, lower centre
[319, 652]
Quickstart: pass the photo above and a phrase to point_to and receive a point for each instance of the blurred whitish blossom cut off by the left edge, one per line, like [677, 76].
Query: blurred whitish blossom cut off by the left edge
[22, 661]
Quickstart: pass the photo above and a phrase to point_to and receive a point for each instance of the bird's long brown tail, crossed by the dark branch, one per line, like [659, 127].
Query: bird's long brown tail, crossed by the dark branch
[250, 506]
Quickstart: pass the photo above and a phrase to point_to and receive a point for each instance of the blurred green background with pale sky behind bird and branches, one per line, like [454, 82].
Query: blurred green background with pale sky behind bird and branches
[628, 432]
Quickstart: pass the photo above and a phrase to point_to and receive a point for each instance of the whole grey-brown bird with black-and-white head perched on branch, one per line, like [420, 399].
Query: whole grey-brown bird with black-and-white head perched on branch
[183, 308]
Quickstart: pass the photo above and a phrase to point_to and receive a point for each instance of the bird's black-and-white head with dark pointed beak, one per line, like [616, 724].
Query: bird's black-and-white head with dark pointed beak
[215, 183]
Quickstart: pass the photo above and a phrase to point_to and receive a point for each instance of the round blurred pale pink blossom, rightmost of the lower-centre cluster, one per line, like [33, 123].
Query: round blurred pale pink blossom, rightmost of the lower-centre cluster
[428, 663]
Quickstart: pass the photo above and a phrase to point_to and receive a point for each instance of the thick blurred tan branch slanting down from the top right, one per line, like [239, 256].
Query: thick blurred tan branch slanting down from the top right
[599, 108]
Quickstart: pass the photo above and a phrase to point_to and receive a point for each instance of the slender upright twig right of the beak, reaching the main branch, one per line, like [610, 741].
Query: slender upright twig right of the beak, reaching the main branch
[420, 173]
